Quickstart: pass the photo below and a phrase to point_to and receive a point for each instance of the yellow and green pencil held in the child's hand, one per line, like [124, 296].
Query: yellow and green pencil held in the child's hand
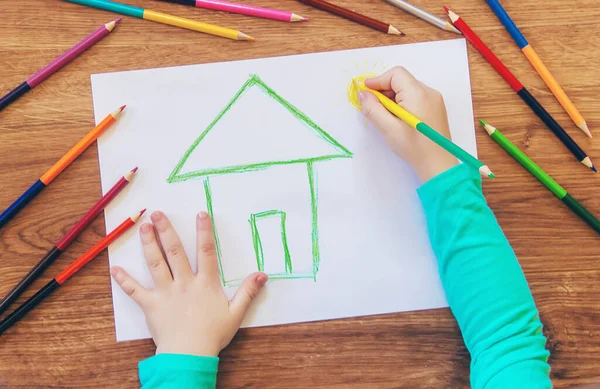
[430, 133]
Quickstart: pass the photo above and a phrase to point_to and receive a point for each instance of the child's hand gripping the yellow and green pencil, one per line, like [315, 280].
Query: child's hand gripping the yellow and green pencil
[426, 158]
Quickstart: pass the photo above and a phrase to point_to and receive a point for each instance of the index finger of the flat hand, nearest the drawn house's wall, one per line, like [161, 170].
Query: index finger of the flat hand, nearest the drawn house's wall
[205, 243]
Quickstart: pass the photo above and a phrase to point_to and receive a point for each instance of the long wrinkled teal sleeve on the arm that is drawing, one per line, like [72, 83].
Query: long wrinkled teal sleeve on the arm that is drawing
[485, 286]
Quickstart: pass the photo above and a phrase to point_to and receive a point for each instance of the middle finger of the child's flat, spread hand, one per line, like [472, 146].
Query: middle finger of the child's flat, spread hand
[178, 262]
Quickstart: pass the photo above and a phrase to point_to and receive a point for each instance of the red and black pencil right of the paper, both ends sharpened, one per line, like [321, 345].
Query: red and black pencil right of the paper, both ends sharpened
[516, 85]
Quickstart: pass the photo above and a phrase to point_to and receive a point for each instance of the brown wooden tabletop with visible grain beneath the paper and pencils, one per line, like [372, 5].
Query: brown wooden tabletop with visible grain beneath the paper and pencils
[69, 341]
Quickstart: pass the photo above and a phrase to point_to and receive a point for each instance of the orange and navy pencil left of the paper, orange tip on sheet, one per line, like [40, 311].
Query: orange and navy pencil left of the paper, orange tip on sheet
[58, 167]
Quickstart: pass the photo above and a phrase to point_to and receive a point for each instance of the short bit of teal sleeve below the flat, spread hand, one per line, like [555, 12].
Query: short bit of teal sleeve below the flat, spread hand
[177, 371]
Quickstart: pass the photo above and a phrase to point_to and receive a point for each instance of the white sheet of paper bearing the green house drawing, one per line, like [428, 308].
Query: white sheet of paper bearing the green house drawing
[373, 250]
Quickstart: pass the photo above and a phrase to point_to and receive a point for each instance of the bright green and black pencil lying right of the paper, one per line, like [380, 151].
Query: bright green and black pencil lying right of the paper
[542, 176]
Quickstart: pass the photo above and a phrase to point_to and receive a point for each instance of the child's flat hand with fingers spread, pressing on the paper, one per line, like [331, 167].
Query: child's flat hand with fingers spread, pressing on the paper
[187, 313]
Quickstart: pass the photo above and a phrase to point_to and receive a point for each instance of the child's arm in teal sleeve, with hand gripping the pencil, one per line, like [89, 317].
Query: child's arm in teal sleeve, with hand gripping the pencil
[484, 283]
